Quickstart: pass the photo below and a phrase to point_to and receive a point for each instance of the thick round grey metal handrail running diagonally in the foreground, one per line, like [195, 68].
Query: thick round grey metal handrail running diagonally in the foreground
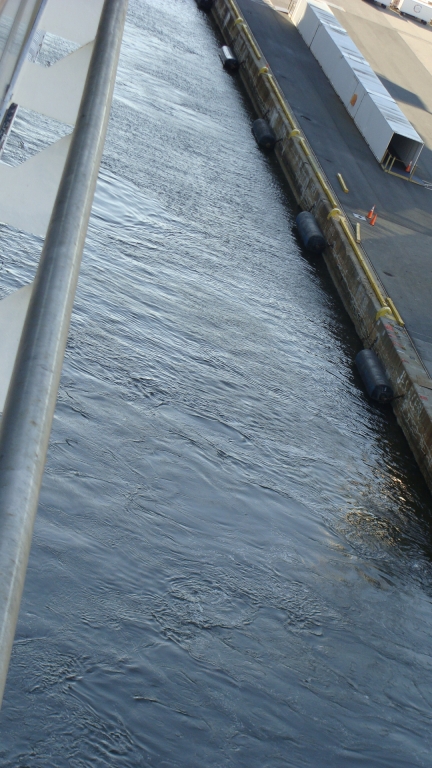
[30, 404]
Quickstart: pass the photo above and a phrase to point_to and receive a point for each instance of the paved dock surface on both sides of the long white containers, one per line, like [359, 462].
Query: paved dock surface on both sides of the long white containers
[400, 51]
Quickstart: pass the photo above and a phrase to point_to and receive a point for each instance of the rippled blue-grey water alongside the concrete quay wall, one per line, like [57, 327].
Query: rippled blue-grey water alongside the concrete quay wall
[232, 557]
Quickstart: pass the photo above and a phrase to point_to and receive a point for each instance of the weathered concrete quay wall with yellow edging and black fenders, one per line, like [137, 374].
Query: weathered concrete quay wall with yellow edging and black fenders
[363, 296]
